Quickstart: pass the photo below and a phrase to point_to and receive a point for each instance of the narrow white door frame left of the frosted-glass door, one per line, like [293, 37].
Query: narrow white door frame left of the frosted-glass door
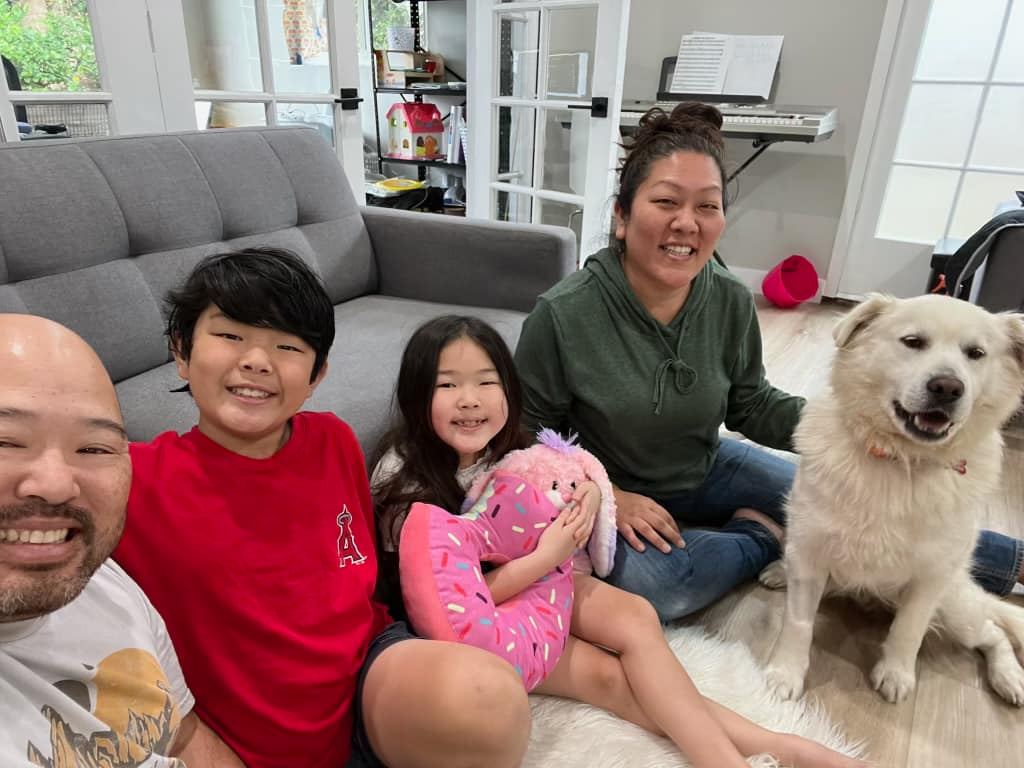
[882, 77]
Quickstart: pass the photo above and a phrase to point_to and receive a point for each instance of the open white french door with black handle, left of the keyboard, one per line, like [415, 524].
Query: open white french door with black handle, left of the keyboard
[545, 91]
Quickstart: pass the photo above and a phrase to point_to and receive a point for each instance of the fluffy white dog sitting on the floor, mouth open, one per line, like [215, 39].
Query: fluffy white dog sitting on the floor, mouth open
[895, 461]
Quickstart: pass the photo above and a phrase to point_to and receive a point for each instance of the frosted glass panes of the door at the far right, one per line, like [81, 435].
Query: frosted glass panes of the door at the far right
[960, 152]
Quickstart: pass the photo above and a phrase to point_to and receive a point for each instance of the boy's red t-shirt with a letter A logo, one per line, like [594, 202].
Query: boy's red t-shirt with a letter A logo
[265, 572]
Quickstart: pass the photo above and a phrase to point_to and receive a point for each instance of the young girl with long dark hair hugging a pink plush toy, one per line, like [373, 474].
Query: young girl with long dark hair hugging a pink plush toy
[459, 412]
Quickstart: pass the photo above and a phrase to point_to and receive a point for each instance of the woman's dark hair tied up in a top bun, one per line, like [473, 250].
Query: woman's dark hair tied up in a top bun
[691, 127]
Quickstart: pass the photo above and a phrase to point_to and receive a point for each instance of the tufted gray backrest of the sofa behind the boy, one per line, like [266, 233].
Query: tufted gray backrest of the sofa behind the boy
[95, 233]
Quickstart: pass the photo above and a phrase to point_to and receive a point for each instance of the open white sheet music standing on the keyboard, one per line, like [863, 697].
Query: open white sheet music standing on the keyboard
[735, 65]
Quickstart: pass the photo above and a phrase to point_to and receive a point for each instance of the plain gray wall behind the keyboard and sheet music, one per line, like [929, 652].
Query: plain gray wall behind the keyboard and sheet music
[790, 200]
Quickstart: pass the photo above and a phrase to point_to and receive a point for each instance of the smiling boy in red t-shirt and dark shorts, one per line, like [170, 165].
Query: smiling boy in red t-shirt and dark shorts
[253, 536]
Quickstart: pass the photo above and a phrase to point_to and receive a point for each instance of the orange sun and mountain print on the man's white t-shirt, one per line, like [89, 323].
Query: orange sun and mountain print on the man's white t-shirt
[133, 696]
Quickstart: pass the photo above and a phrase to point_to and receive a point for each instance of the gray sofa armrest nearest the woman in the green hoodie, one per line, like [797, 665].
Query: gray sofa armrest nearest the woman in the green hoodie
[467, 262]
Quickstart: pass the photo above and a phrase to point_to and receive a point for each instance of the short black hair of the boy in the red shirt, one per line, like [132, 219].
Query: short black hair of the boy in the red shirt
[263, 287]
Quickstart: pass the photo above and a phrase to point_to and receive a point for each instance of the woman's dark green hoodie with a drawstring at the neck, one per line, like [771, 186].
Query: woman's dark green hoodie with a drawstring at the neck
[648, 399]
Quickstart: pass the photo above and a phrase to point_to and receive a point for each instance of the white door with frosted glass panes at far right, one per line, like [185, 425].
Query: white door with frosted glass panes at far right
[941, 145]
